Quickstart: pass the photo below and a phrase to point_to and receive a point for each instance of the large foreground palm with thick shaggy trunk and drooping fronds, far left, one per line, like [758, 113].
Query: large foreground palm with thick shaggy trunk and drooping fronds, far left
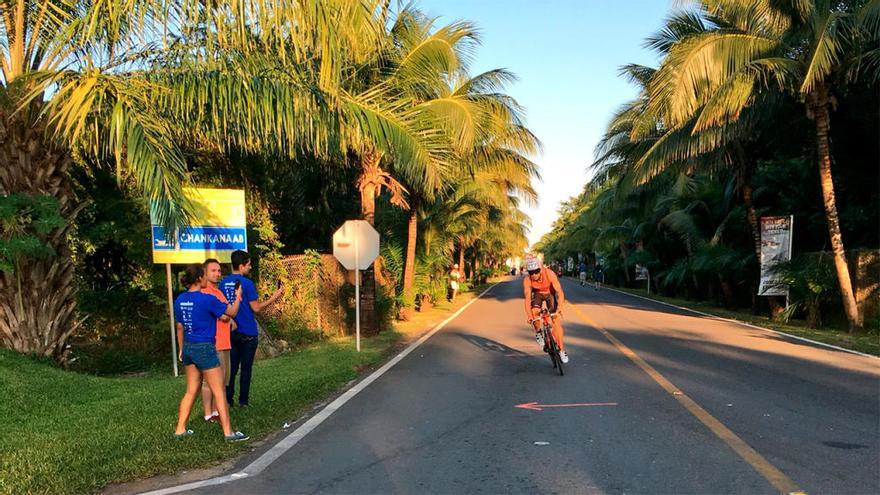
[79, 80]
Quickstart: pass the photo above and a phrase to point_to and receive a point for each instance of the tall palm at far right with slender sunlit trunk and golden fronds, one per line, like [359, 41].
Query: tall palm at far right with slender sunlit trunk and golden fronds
[803, 48]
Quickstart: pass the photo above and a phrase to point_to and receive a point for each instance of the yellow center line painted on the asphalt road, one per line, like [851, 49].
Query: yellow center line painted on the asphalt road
[776, 477]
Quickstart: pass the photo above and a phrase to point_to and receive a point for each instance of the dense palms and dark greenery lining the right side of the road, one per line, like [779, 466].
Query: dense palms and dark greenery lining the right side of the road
[755, 109]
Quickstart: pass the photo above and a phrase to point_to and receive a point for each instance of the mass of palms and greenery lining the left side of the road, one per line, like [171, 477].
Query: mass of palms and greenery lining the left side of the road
[367, 109]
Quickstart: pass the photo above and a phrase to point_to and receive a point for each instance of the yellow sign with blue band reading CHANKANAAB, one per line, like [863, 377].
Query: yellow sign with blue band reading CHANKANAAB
[218, 228]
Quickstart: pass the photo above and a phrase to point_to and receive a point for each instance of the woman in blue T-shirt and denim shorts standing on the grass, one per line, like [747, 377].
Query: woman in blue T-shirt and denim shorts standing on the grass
[196, 315]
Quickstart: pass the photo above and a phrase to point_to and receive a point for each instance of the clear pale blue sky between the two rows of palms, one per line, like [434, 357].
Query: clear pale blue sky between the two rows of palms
[566, 54]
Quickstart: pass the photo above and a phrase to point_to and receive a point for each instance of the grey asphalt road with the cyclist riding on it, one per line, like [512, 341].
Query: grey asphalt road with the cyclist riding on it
[702, 406]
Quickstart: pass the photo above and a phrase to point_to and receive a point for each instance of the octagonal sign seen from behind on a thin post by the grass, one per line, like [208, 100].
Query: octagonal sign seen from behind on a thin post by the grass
[356, 246]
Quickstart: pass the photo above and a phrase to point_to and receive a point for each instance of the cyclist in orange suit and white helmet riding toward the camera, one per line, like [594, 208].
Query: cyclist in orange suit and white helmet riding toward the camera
[539, 287]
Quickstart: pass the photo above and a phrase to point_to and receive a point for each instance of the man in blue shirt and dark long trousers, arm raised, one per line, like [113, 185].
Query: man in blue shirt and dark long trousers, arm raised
[244, 339]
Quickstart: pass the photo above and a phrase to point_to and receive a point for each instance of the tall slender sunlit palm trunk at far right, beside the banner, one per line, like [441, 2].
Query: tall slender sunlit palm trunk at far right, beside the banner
[818, 101]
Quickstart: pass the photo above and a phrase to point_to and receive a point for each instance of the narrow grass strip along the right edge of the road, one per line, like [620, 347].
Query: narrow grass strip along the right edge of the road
[867, 342]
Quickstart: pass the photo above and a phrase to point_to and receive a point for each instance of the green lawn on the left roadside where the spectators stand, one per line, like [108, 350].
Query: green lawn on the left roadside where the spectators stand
[66, 432]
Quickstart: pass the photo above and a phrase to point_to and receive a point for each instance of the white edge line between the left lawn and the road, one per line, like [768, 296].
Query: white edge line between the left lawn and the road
[298, 434]
